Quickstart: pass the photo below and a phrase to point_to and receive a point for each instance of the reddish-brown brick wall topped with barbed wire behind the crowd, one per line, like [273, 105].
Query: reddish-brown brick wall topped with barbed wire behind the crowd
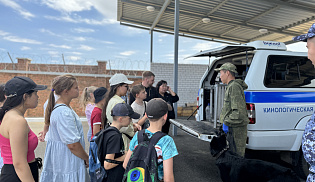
[86, 75]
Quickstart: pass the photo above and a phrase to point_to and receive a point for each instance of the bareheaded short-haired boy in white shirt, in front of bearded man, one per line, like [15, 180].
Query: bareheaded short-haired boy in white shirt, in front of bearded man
[138, 91]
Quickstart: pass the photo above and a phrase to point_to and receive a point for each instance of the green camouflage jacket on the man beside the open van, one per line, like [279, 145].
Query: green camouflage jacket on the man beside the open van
[234, 111]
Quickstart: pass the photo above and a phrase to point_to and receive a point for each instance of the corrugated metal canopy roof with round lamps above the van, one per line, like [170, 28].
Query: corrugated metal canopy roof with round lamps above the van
[236, 21]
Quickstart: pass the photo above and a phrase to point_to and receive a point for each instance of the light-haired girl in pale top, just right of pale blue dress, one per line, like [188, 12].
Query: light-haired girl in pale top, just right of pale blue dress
[88, 102]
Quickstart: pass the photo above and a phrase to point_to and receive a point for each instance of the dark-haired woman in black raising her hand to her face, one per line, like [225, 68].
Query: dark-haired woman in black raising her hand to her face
[167, 94]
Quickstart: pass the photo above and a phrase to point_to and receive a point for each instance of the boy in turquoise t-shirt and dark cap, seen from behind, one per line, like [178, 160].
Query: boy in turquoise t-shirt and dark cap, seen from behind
[156, 111]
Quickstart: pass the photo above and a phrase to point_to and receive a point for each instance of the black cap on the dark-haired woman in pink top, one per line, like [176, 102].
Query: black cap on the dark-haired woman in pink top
[20, 85]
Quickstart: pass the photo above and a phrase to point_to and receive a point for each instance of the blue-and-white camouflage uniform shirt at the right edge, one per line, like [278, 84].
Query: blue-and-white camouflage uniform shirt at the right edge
[308, 146]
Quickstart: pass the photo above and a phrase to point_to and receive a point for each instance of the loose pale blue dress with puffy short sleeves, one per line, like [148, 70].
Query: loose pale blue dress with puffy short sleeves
[60, 164]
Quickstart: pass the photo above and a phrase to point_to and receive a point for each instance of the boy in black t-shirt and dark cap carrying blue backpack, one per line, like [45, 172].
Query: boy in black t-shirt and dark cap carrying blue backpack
[114, 151]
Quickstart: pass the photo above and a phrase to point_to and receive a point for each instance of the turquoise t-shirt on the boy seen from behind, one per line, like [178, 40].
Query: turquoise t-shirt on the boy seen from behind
[165, 149]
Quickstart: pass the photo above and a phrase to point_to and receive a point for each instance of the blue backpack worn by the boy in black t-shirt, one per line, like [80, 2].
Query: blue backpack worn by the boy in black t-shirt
[96, 170]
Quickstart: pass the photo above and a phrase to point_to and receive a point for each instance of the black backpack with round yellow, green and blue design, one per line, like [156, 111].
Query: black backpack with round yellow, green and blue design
[143, 163]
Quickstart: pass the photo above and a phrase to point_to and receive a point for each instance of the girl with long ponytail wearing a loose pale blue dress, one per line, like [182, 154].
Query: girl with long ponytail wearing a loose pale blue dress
[65, 157]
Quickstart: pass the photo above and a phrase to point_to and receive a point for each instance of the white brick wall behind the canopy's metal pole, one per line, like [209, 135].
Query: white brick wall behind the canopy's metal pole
[189, 76]
